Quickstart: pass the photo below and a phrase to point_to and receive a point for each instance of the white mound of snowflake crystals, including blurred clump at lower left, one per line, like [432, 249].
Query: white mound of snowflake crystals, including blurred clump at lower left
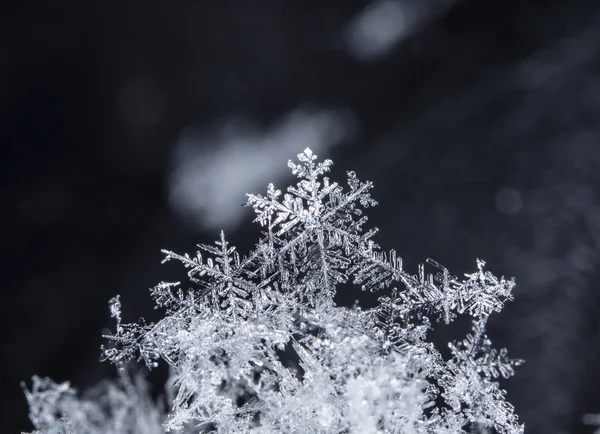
[257, 343]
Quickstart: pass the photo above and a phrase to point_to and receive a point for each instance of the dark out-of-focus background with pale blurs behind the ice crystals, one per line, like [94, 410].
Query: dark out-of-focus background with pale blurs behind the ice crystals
[129, 126]
